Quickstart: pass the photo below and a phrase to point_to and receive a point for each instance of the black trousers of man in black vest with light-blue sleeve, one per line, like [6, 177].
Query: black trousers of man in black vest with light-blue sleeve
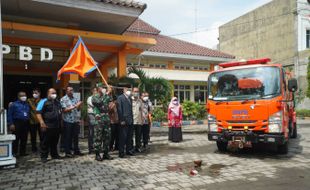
[50, 138]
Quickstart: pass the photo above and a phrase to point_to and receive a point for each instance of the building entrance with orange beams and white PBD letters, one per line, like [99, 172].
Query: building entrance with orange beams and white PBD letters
[38, 41]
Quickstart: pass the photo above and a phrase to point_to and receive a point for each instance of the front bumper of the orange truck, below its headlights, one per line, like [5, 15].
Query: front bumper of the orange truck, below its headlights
[248, 136]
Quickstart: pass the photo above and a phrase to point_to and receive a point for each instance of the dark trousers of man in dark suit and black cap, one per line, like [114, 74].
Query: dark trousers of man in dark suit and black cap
[125, 138]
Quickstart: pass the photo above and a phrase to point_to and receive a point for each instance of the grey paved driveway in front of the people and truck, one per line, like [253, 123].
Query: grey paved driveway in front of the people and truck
[168, 166]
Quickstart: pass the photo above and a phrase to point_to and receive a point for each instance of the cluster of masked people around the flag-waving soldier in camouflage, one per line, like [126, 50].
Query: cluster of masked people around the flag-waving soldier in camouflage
[114, 121]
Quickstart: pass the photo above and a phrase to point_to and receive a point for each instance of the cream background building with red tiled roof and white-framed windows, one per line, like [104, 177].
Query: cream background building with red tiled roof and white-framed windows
[185, 65]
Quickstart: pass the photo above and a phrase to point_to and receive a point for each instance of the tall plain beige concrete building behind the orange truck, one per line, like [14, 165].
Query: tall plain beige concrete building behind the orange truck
[279, 30]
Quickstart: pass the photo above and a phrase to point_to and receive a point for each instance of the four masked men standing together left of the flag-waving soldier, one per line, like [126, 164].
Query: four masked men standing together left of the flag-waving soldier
[44, 118]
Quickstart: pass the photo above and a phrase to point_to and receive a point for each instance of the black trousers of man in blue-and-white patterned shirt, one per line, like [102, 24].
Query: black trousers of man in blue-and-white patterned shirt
[72, 131]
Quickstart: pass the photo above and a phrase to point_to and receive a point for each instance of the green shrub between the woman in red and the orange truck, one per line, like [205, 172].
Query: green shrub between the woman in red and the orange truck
[193, 111]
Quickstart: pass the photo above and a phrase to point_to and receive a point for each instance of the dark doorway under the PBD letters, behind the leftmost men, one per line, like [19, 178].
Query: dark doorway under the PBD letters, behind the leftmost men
[15, 83]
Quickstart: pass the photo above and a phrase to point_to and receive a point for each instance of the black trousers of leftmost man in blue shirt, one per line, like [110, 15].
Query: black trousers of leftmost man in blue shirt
[21, 134]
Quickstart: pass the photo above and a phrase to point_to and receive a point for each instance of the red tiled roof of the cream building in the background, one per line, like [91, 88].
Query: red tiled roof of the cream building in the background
[166, 44]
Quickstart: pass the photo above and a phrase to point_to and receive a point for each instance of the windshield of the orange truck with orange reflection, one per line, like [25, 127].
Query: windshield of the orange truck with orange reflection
[244, 84]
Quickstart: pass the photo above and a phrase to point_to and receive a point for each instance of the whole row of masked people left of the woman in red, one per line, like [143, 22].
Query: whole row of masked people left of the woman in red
[115, 123]
